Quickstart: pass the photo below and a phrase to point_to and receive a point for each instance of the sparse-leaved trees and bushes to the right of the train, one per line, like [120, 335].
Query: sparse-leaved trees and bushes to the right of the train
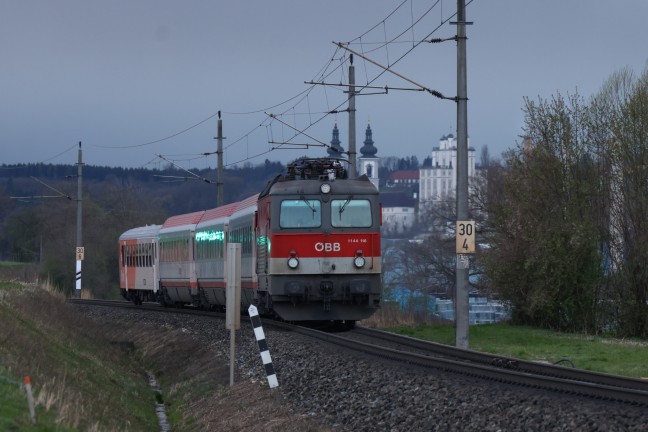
[562, 218]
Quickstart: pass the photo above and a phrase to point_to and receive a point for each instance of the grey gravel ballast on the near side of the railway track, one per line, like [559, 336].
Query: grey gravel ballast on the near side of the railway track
[349, 392]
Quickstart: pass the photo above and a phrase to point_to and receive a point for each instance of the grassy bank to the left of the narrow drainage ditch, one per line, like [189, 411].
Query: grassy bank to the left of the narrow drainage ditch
[81, 381]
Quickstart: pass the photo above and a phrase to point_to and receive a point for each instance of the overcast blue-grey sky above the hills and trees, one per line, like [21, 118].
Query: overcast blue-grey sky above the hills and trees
[134, 79]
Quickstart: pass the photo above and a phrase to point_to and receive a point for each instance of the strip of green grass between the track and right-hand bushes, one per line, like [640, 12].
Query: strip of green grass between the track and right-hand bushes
[613, 356]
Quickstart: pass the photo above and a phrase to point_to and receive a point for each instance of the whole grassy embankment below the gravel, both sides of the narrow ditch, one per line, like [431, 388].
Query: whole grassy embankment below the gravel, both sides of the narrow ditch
[91, 376]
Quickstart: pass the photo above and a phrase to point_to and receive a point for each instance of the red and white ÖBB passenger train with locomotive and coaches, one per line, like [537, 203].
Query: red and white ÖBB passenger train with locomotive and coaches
[310, 249]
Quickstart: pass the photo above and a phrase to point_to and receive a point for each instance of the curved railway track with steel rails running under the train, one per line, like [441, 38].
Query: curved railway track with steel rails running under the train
[423, 354]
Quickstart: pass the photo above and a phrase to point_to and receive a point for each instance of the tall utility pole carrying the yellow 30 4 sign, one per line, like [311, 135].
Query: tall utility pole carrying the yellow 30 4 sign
[461, 295]
